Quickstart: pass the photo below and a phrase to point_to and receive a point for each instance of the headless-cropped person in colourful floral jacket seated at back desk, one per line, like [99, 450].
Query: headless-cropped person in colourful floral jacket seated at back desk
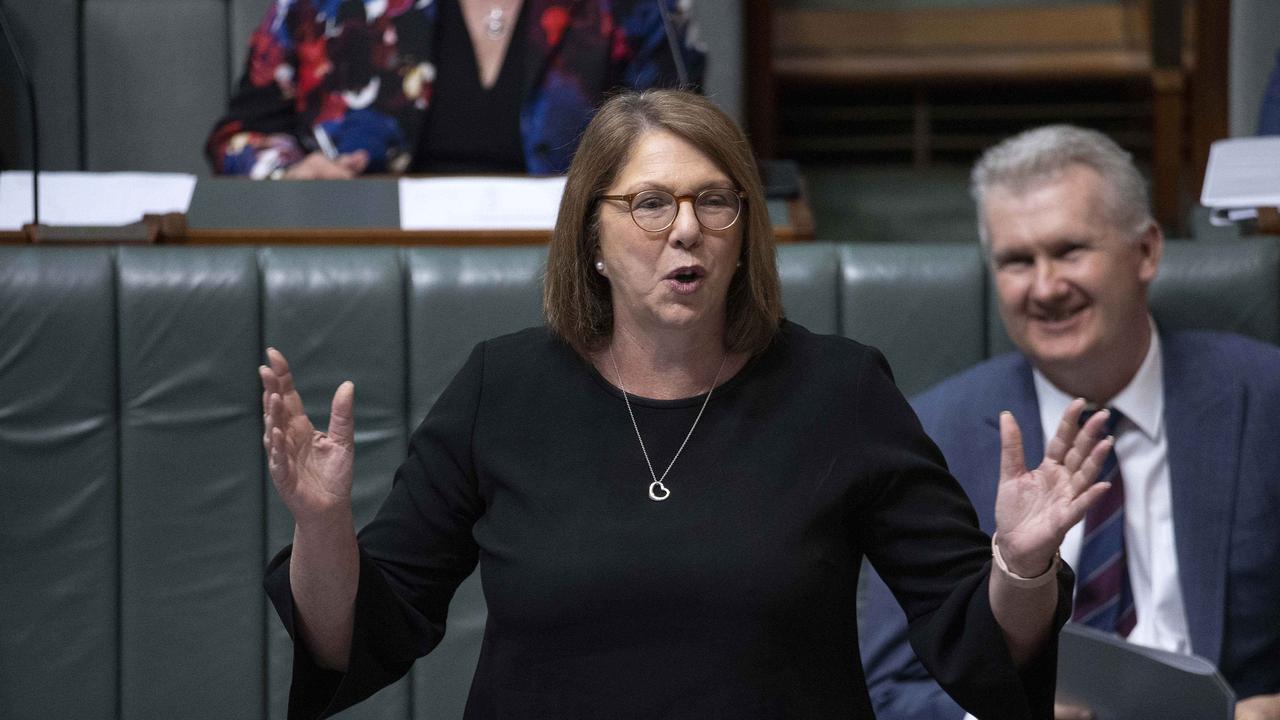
[335, 89]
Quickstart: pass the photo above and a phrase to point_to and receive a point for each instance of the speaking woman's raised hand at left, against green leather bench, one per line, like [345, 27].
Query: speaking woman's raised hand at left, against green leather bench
[312, 471]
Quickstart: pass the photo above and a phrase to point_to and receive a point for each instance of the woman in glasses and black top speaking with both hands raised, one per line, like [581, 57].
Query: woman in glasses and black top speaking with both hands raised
[669, 489]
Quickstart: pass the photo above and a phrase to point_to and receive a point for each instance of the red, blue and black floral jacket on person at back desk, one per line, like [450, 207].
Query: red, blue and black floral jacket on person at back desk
[359, 75]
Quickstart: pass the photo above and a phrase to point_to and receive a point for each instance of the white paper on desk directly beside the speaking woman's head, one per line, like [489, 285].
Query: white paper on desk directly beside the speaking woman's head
[479, 203]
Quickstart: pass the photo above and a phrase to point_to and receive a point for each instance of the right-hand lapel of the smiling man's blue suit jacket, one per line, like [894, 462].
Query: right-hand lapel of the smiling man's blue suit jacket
[1205, 422]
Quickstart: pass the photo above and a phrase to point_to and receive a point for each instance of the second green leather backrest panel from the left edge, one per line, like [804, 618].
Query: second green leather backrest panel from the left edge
[191, 484]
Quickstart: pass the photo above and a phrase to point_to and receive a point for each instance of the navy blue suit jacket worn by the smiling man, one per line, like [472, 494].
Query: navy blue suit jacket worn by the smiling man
[1223, 418]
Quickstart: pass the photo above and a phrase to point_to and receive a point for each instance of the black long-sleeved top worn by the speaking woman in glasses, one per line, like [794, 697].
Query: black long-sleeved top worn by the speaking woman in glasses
[733, 599]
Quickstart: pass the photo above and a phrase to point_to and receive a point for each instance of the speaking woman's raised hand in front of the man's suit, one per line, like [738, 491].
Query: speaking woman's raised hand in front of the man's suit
[1035, 509]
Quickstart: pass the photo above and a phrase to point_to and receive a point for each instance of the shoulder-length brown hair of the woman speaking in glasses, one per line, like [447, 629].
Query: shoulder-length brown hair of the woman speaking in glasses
[577, 299]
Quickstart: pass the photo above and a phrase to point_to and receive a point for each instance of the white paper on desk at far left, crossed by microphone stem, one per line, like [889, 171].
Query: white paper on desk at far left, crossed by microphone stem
[93, 199]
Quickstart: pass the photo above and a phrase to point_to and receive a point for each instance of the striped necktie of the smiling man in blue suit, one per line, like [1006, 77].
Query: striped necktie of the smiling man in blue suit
[1104, 598]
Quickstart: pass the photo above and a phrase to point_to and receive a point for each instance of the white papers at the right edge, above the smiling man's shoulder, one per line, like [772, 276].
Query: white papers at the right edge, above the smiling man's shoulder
[1244, 172]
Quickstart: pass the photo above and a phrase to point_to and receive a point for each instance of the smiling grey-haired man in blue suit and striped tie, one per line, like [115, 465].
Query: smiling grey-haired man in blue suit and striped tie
[1069, 239]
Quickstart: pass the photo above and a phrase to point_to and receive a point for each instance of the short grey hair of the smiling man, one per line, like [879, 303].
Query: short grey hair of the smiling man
[1030, 160]
